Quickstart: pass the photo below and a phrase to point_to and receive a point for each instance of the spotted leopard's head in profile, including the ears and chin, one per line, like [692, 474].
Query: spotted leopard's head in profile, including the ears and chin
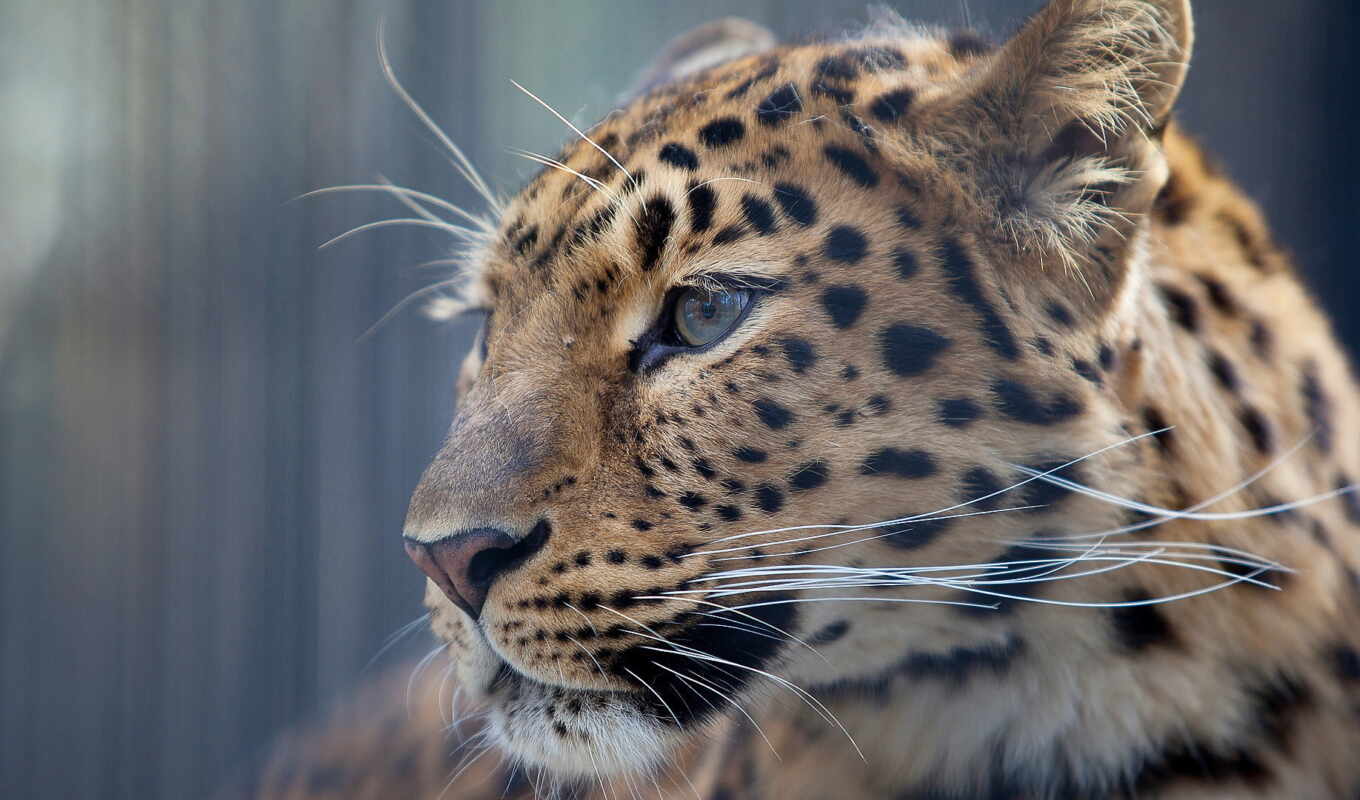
[779, 330]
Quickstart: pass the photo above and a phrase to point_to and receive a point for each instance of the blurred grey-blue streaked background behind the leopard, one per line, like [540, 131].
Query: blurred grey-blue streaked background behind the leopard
[203, 469]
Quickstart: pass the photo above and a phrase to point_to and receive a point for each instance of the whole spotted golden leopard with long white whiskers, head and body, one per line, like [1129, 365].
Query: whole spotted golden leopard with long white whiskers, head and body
[898, 416]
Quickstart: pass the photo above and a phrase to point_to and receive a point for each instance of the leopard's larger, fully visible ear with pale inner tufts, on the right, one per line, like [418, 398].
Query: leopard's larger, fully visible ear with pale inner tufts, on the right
[1071, 111]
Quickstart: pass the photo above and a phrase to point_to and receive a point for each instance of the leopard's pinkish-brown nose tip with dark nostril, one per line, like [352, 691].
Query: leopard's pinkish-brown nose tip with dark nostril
[467, 564]
